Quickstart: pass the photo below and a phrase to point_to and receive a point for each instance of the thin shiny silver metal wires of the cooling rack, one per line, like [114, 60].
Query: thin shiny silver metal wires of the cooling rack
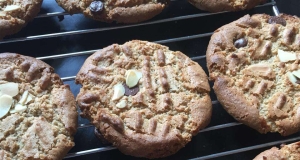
[163, 41]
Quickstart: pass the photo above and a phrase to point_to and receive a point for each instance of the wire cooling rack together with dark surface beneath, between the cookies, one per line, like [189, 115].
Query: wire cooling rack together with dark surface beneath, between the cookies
[65, 41]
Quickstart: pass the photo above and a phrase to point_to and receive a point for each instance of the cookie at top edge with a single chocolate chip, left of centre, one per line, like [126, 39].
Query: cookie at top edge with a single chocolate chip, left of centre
[120, 11]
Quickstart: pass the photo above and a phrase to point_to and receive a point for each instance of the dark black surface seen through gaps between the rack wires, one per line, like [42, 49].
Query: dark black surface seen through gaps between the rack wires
[203, 144]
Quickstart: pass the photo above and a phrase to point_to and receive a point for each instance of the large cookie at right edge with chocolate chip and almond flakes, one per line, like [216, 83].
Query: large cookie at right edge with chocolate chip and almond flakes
[254, 63]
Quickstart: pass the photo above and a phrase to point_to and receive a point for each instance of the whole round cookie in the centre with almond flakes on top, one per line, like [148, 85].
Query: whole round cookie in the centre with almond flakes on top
[146, 100]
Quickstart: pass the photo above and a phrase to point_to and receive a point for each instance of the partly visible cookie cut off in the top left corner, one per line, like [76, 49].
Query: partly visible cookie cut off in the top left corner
[15, 14]
